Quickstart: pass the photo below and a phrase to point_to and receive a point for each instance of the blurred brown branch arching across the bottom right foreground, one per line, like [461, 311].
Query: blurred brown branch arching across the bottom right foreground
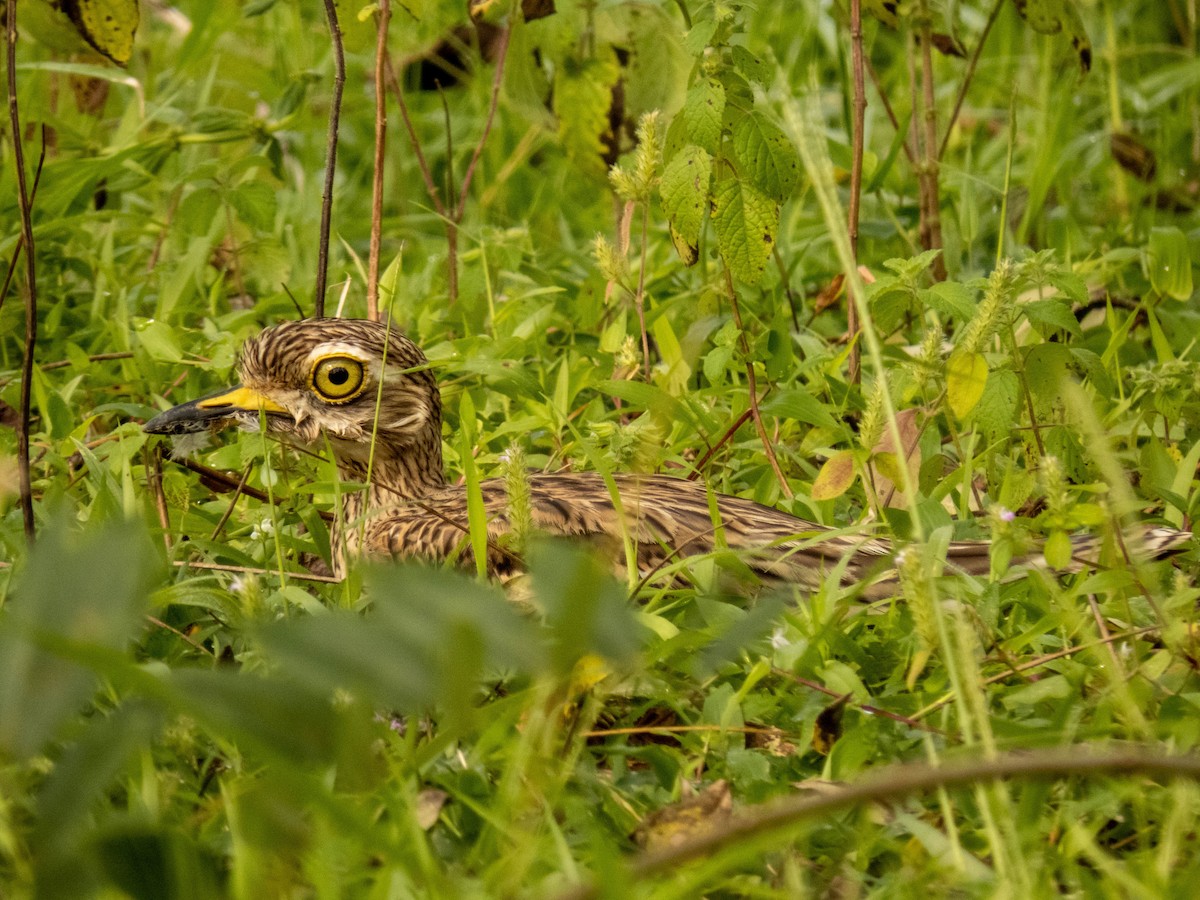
[895, 783]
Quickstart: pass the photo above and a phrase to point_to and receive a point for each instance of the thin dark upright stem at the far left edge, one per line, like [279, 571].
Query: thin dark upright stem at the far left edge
[27, 236]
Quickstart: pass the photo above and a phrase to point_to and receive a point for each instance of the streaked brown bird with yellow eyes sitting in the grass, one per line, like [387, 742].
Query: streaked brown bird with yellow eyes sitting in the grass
[369, 393]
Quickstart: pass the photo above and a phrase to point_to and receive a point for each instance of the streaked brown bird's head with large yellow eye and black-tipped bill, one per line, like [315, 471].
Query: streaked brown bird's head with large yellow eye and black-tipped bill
[355, 381]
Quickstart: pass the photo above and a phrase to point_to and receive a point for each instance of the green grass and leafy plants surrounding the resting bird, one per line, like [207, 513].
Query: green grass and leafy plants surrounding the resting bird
[184, 715]
